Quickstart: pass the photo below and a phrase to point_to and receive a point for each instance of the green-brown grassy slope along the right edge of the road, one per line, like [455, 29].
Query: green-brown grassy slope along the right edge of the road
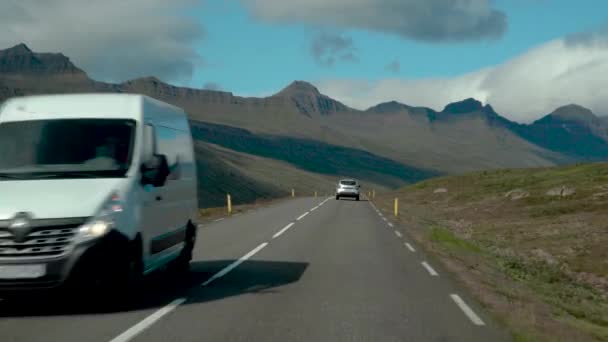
[539, 263]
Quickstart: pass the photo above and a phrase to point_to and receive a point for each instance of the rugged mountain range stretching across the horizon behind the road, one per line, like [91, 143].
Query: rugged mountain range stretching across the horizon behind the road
[387, 145]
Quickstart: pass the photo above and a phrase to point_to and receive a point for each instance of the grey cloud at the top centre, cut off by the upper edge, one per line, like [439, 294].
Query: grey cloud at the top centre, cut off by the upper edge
[428, 20]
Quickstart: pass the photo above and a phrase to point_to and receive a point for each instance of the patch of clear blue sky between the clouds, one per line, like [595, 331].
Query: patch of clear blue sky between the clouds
[248, 56]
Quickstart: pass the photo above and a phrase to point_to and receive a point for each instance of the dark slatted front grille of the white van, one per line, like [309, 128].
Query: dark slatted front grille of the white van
[45, 238]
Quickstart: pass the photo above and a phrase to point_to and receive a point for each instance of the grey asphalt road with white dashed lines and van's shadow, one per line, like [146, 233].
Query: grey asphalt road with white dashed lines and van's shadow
[342, 272]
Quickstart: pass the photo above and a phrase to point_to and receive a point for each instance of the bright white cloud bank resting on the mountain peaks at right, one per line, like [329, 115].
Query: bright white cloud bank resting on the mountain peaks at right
[523, 89]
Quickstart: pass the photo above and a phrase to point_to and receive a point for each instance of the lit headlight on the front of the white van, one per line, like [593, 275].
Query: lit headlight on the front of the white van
[101, 223]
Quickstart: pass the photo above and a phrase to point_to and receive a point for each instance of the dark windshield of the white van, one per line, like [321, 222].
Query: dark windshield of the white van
[66, 148]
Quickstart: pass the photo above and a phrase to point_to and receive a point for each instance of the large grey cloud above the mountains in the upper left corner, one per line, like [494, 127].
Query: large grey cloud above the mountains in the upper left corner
[113, 40]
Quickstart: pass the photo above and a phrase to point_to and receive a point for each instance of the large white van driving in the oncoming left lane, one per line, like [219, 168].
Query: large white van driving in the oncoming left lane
[95, 191]
